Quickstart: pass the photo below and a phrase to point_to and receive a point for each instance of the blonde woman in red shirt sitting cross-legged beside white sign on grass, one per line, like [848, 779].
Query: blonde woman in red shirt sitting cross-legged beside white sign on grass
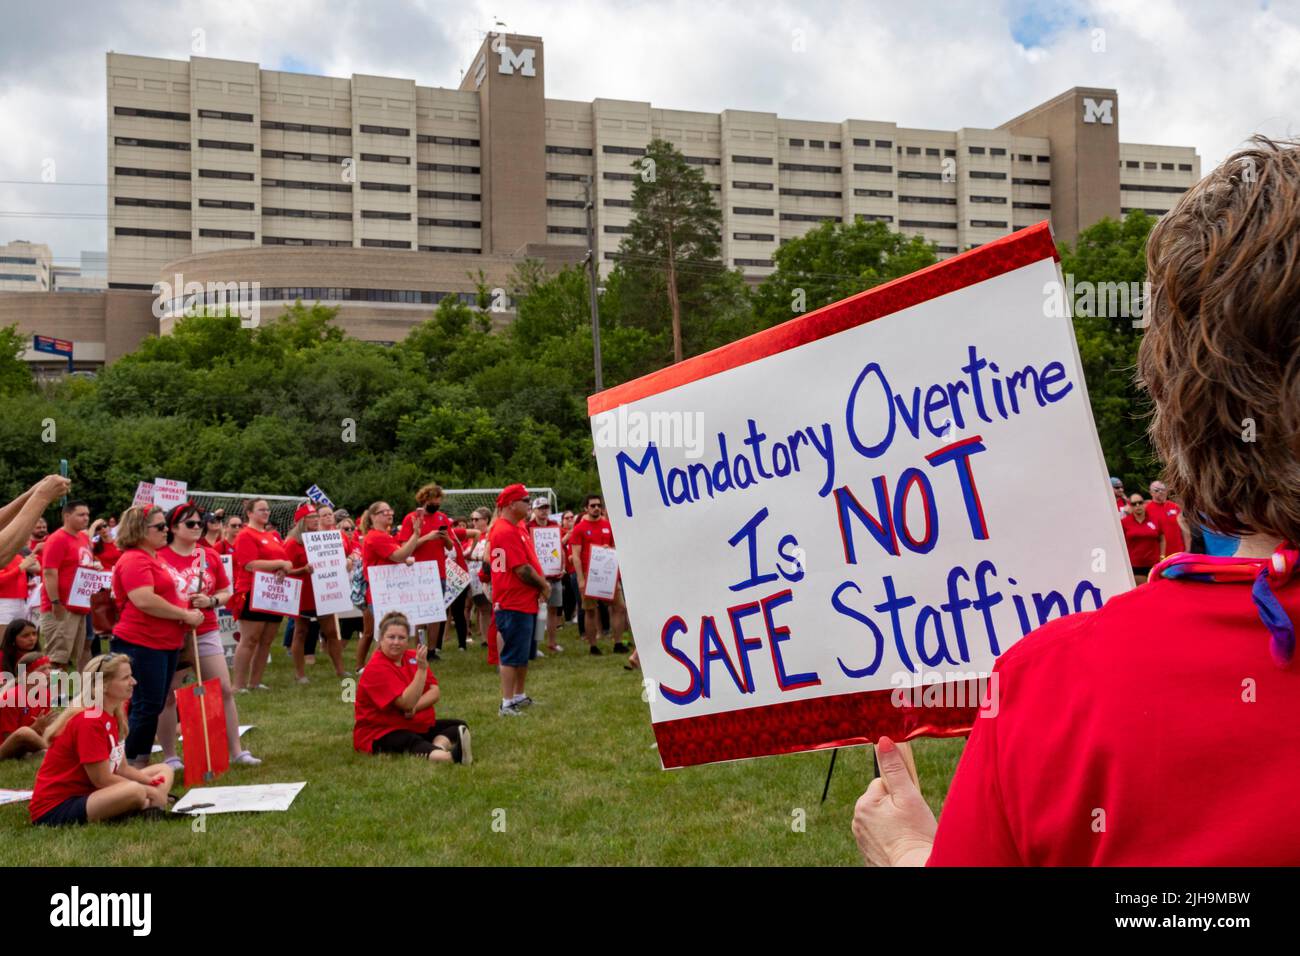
[85, 777]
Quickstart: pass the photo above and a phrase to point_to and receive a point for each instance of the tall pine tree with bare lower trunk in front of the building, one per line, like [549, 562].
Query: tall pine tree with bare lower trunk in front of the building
[675, 233]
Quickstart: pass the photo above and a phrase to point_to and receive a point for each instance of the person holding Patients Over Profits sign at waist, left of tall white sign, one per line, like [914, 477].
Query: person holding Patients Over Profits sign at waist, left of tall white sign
[258, 550]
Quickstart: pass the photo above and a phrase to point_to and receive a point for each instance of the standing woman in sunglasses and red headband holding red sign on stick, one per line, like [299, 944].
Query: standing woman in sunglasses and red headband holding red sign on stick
[203, 581]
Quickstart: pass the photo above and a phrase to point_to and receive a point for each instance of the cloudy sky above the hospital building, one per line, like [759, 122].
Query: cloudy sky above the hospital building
[1198, 73]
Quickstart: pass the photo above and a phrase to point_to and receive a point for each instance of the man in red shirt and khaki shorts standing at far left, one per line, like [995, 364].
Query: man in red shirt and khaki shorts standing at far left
[63, 630]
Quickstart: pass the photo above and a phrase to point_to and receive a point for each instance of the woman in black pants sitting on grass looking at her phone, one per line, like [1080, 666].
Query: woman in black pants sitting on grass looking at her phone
[396, 698]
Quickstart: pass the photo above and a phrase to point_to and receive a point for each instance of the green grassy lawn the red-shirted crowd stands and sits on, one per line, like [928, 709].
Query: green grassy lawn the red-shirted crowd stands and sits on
[575, 781]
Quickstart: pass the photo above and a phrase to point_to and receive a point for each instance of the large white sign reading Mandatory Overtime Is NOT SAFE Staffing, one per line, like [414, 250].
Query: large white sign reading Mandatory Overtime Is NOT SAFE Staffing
[892, 491]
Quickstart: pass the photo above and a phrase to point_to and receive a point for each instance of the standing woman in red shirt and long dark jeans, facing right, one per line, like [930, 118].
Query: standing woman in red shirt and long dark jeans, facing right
[154, 617]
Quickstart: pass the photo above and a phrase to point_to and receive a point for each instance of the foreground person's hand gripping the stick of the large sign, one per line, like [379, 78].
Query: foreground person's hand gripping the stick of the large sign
[892, 823]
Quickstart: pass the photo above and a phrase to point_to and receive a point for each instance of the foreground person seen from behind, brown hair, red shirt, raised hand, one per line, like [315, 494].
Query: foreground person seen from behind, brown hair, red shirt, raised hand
[1097, 752]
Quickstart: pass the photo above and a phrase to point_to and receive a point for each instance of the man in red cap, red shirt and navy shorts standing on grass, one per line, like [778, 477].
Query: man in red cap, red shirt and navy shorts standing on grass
[518, 591]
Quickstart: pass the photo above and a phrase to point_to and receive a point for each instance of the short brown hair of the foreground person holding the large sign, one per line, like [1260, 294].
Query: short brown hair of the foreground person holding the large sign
[1221, 354]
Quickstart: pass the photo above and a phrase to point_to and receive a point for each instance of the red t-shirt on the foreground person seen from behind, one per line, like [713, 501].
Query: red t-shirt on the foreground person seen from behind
[1139, 711]
